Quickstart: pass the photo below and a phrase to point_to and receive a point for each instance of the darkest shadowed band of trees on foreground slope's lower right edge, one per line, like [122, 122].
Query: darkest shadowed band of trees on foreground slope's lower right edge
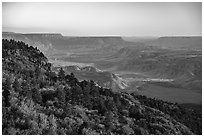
[191, 117]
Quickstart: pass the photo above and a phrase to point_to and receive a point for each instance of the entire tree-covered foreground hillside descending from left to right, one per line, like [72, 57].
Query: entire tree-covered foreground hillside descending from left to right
[36, 100]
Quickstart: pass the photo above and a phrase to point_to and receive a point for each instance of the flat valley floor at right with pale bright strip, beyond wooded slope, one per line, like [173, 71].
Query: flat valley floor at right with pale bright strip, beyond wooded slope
[148, 86]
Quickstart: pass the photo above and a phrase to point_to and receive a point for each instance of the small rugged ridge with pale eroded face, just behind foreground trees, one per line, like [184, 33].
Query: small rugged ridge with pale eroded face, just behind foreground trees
[102, 78]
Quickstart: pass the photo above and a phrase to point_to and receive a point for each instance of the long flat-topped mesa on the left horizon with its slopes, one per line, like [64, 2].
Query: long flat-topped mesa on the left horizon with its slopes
[49, 42]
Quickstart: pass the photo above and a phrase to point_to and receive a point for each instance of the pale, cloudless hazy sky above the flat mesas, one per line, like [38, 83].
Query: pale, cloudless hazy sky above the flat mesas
[125, 19]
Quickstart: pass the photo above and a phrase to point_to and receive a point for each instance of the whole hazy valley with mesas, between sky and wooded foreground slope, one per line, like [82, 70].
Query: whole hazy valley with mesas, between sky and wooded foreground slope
[171, 71]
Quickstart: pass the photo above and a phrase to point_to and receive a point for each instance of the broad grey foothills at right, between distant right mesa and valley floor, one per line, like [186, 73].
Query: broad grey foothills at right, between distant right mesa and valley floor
[183, 66]
